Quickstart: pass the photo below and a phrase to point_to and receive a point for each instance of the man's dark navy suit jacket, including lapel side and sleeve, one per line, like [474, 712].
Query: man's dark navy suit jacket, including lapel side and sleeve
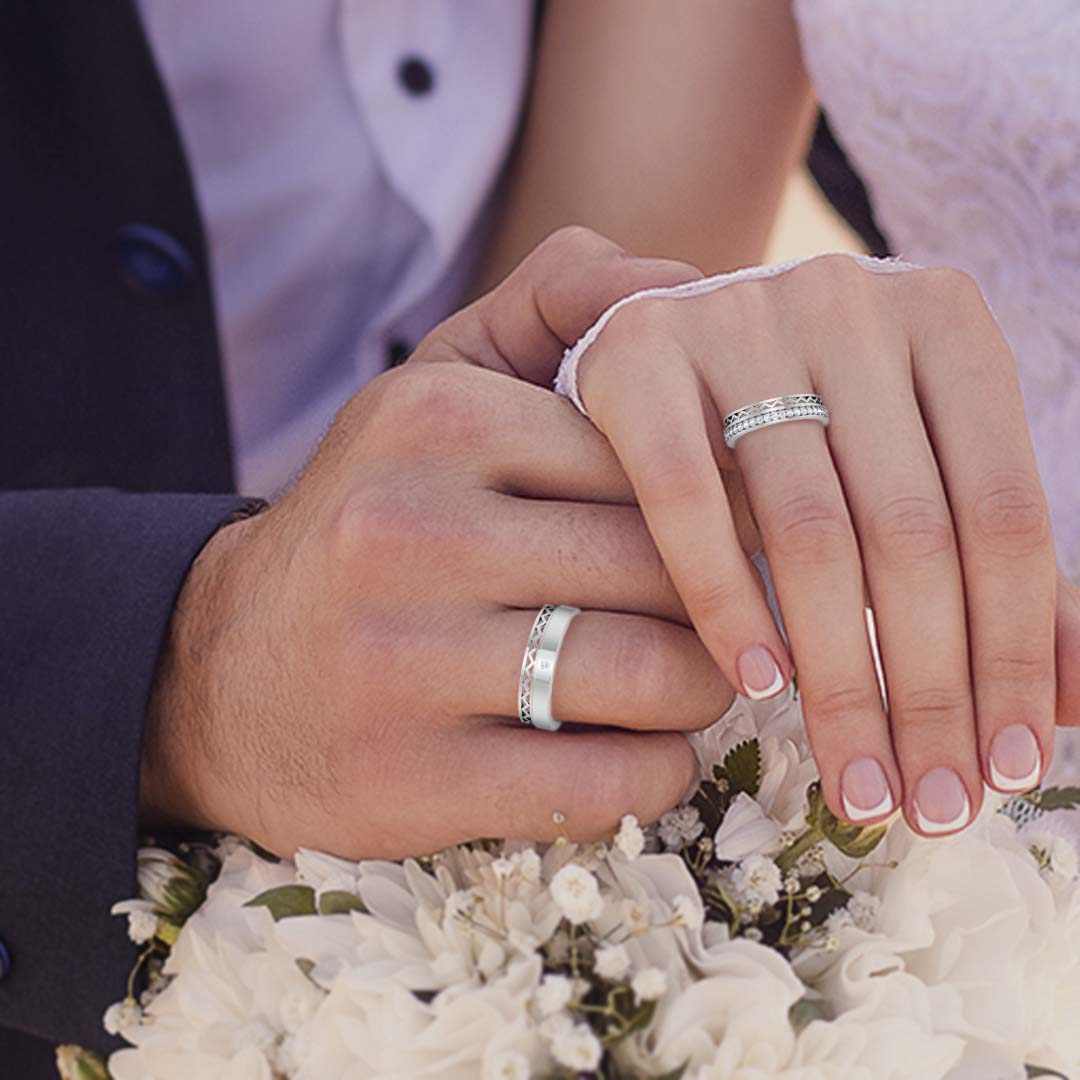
[115, 470]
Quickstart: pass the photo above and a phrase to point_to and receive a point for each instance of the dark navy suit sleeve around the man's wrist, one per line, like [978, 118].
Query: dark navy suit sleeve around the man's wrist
[88, 583]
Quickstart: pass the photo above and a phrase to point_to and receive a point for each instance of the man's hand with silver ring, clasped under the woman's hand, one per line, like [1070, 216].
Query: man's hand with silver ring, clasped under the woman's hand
[343, 669]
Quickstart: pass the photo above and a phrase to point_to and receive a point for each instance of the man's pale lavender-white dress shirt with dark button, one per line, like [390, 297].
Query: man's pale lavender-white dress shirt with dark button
[344, 155]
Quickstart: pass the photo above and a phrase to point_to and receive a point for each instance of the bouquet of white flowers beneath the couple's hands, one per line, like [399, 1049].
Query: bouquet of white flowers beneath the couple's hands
[748, 935]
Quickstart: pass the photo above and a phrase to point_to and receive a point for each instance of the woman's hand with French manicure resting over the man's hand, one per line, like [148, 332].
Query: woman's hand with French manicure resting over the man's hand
[923, 501]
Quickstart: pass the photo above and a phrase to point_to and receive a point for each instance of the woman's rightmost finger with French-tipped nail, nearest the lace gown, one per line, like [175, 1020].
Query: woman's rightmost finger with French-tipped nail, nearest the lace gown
[966, 381]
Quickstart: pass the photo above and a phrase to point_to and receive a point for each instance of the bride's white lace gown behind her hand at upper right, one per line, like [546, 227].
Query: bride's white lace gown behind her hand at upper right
[963, 117]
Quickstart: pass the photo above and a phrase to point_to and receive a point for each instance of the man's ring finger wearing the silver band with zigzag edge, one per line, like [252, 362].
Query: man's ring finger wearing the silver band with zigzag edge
[623, 670]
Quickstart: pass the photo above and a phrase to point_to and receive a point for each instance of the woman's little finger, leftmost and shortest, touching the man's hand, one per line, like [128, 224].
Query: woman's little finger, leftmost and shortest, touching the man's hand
[653, 414]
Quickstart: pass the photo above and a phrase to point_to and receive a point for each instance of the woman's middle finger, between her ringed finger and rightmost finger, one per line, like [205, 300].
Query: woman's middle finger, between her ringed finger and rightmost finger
[912, 565]
